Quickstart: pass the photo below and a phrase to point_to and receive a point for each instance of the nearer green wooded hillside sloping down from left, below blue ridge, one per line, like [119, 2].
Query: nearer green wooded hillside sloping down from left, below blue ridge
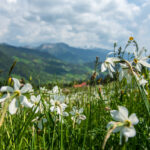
[42, 66]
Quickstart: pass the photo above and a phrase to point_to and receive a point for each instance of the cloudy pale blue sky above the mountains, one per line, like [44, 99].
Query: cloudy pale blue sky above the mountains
[79, 23]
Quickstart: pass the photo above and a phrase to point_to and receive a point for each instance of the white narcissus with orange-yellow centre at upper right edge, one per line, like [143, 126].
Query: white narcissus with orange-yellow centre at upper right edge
[139, 60]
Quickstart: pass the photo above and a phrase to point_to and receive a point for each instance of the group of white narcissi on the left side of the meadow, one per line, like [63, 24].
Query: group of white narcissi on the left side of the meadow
[23, 96]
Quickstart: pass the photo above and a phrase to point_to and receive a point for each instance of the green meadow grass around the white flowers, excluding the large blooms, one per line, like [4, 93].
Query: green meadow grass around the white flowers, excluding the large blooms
[21, 131]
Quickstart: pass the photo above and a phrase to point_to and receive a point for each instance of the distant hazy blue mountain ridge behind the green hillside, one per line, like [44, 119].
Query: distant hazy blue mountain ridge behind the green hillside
[74, 55]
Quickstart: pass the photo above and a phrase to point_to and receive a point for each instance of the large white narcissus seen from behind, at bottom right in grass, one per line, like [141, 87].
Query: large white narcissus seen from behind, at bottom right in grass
[125, 123]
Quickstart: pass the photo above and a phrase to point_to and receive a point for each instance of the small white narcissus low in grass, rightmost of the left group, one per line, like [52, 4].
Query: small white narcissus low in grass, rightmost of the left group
[77, 115]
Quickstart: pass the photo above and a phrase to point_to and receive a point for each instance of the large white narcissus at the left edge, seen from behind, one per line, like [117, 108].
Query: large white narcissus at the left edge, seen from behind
[20, 98]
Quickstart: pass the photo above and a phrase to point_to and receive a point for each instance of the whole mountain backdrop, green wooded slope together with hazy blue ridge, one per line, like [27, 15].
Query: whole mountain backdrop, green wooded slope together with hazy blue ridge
[49, 62]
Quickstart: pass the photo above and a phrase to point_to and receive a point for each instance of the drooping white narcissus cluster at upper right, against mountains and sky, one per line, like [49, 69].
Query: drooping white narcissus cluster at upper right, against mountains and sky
[128, 69]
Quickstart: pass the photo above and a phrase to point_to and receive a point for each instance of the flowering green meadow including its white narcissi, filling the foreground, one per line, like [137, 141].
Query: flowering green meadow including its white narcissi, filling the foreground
[69, 118]
